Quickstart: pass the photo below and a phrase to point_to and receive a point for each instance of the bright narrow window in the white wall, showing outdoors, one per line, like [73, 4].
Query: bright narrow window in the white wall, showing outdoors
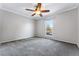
[49, 27]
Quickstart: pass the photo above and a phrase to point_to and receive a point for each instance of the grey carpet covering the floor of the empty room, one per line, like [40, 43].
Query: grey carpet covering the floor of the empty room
[38, 47]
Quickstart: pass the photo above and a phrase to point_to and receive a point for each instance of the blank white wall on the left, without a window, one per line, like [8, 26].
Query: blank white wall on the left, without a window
[15, 27]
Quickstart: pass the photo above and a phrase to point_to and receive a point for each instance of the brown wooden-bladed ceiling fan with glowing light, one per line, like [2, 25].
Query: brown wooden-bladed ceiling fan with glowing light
[38, 10]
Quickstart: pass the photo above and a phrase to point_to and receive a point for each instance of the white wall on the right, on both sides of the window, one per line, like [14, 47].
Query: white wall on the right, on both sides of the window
[65, 26]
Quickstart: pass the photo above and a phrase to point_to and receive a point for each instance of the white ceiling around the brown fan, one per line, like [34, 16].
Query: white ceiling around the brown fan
[19, 8]
